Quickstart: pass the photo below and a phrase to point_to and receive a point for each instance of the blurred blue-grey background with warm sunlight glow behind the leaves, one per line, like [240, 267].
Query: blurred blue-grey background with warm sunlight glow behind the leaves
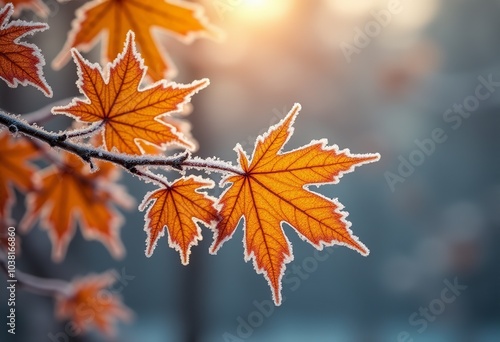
[371, 76]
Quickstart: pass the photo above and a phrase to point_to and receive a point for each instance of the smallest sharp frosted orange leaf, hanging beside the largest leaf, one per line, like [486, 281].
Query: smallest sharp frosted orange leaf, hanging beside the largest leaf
[178, 207]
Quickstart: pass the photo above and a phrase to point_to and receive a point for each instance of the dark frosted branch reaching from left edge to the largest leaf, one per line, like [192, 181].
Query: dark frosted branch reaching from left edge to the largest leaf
[128, 162]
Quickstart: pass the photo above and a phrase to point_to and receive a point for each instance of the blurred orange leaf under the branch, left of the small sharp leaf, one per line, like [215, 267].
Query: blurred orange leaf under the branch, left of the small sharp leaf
[68, 193]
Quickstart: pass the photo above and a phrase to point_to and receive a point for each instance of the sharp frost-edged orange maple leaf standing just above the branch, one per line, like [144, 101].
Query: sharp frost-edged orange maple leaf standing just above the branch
[129, 114]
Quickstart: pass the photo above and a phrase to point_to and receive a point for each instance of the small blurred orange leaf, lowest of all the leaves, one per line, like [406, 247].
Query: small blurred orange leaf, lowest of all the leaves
[90, 304]
